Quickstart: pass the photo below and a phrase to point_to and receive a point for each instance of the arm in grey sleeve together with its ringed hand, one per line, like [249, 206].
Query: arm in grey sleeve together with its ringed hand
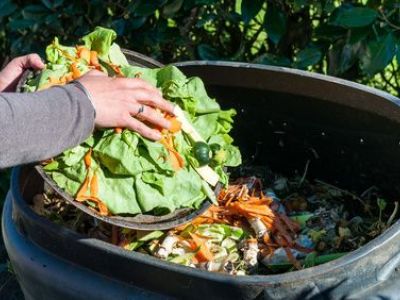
[40, 125]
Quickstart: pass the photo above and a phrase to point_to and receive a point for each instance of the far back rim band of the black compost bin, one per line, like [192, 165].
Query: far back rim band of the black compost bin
[322, 87]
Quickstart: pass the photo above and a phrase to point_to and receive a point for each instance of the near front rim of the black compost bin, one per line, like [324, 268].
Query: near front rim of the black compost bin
[25, 210]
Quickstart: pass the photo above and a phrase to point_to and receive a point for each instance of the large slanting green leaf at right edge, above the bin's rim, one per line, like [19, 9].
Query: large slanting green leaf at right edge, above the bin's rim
[378, 54]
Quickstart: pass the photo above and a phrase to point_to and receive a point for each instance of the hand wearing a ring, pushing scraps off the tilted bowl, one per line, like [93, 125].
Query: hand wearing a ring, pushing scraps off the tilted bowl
[127, 102]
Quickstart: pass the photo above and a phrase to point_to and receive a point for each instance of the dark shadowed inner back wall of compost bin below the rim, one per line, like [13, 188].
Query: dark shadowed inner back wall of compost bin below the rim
[351, 148]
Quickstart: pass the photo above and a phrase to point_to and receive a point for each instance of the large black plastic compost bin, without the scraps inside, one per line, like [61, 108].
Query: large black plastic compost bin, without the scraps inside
[350, 133]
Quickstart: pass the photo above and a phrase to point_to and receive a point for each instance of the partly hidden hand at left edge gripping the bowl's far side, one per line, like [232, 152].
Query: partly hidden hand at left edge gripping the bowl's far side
[11, 74]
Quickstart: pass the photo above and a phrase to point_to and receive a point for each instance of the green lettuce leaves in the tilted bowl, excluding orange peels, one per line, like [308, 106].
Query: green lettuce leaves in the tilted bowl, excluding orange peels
[135, 174]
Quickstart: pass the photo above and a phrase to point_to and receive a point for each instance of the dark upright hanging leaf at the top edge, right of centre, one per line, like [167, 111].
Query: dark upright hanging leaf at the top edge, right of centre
[275, 23]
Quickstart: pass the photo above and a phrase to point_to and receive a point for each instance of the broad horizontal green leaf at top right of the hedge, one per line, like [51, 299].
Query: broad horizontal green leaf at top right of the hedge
[353, 17]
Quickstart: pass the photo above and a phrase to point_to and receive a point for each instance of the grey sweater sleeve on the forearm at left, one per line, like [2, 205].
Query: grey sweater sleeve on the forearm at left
[40, 125]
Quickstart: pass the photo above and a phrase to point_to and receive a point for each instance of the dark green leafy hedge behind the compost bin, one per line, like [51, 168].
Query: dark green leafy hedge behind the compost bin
[356, 39]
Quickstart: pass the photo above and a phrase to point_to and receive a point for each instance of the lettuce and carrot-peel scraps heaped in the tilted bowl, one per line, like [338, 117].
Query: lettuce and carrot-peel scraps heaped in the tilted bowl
[128, 174]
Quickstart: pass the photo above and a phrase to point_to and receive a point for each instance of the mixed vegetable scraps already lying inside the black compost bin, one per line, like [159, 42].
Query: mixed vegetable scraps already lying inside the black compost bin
[260, 226]
